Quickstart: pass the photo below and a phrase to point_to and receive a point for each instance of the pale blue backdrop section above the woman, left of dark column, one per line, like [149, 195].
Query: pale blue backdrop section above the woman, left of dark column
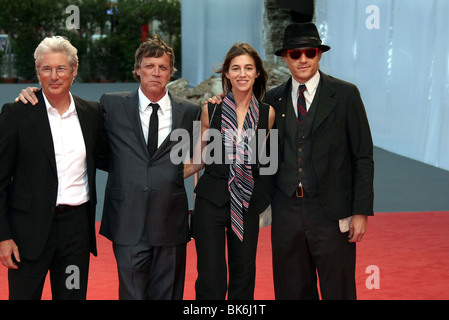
[211, 27]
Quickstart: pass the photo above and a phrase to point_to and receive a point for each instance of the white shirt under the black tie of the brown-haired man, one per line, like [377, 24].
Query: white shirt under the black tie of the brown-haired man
[164, 115]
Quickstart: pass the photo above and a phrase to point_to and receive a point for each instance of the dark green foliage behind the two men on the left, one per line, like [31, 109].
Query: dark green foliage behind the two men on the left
[112, 56]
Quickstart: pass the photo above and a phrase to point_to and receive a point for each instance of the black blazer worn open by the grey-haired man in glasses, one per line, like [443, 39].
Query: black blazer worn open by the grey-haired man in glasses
[28, 176]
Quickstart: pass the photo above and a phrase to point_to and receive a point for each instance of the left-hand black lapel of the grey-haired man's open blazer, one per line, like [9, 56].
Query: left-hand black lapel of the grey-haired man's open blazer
[41, 125]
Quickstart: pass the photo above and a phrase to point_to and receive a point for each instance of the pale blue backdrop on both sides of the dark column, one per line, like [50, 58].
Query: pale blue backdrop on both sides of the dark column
[401, 69]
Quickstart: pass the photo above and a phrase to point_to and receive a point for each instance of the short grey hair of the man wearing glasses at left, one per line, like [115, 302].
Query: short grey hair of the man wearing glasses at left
[56, 44]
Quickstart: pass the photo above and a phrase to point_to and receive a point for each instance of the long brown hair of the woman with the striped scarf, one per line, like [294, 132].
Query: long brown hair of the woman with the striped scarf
[238, 49]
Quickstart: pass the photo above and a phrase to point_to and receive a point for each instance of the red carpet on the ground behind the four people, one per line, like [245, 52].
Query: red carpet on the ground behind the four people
[410, 251]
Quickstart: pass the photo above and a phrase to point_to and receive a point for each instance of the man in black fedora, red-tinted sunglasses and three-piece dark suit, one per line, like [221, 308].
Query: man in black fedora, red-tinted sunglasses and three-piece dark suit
[324, 184]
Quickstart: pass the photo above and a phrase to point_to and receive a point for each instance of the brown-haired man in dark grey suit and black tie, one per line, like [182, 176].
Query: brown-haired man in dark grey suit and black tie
[145, 211]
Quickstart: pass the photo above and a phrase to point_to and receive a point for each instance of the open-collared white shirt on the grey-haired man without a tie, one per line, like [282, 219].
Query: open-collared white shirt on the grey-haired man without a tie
[70, 155]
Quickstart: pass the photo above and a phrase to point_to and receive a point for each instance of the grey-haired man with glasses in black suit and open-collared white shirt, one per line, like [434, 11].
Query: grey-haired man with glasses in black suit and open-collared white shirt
[47, 181]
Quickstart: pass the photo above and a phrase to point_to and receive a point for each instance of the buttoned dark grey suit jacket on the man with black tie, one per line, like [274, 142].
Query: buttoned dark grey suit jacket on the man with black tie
[143, 191]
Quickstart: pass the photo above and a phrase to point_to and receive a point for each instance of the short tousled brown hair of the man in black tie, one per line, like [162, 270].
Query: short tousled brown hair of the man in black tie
[153, 48]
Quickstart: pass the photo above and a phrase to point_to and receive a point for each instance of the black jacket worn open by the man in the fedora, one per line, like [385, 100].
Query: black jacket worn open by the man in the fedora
[341, 146]
